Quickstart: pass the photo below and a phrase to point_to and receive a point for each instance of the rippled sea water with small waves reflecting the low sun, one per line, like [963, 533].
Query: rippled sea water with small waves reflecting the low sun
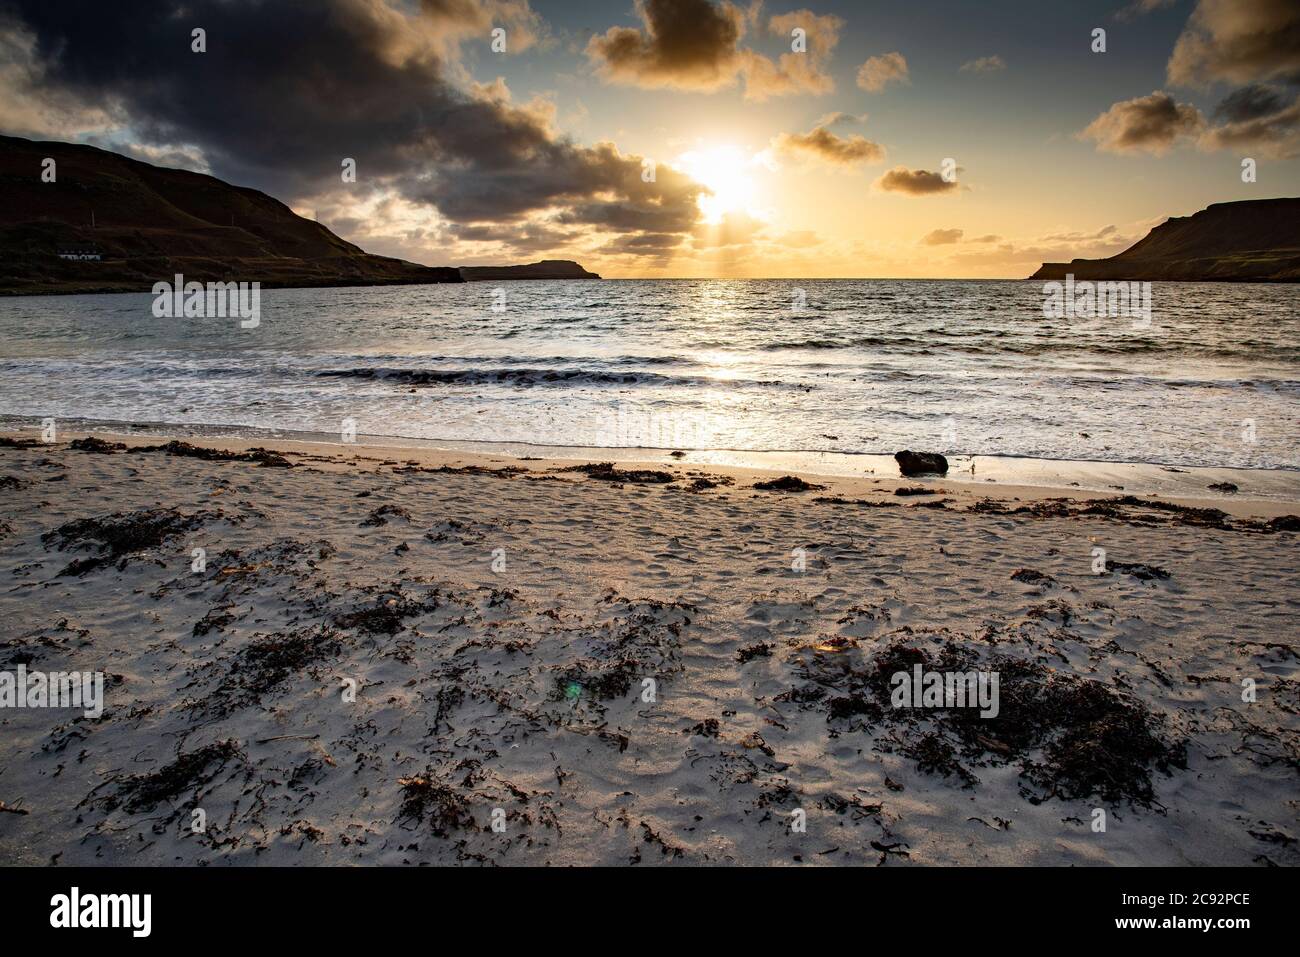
[961, 367]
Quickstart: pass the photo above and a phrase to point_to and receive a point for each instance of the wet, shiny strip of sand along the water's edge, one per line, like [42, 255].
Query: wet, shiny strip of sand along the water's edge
[1263, 493]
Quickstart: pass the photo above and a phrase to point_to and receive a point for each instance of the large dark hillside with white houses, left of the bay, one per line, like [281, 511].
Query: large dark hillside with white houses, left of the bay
[146, 224]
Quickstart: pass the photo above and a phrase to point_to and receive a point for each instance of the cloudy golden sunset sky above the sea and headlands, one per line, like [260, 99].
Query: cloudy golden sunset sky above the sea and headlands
[688, 138]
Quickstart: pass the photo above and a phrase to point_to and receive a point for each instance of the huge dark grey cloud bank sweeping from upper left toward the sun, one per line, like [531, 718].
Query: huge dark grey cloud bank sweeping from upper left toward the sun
[283, 96]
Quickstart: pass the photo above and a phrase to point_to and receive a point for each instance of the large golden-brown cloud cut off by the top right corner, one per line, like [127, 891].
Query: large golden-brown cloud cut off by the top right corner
[1238, 42]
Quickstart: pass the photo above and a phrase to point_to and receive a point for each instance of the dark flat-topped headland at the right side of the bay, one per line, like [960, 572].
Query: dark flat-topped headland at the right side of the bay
[1253, 241]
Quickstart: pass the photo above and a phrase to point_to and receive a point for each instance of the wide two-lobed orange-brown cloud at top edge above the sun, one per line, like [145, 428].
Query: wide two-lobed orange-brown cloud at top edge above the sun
[696, 46]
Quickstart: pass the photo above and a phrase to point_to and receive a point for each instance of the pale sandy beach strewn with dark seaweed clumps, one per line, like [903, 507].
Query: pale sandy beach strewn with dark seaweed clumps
[404, 657]
